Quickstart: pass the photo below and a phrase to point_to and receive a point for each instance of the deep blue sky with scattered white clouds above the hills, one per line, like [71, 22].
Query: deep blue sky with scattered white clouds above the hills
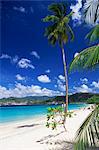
[29, 65]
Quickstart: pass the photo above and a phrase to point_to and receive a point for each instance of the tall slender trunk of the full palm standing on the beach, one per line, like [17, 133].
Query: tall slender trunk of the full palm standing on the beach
[66, 81]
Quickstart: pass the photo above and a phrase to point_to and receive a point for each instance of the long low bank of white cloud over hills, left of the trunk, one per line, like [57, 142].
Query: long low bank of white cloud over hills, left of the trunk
[23, 91]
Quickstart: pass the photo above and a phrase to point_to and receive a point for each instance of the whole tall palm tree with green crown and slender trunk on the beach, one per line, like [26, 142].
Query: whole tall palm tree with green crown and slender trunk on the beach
[59, 32]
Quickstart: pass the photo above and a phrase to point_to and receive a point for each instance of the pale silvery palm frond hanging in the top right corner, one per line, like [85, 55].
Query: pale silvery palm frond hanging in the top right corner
[91, 11]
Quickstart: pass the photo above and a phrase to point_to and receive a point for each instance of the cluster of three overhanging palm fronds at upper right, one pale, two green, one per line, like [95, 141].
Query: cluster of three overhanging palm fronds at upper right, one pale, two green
[89, 57]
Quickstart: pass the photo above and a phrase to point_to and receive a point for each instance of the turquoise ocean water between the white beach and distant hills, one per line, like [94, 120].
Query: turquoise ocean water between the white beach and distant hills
[15, 113]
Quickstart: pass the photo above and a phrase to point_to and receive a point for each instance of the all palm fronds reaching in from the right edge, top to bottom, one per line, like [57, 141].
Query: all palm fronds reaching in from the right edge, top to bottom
[88, 133]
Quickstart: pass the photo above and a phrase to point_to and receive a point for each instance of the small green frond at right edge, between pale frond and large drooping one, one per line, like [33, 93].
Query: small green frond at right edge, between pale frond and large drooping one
[93, 35]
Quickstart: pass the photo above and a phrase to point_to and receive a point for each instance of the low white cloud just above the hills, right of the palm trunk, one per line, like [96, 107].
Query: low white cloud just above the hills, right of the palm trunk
[83, 89]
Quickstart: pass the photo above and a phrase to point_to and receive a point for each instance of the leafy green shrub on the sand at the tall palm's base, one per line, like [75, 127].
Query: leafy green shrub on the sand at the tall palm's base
[55, 117]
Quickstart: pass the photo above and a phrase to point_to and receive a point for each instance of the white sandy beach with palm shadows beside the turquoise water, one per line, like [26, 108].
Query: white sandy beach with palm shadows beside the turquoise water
[32, 134]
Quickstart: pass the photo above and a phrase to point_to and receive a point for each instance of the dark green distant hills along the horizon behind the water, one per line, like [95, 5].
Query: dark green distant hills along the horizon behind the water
[35, 100]
